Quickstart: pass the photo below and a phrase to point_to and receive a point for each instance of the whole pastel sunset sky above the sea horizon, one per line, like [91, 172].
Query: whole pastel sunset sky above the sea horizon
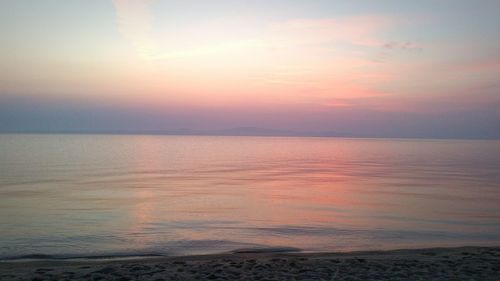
[368, 68]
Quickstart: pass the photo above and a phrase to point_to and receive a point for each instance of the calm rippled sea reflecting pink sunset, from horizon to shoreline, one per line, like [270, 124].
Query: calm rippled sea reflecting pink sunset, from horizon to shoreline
[80, 195]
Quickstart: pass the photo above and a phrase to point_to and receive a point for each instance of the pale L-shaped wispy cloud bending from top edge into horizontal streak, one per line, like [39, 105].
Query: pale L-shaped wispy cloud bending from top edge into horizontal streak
[296, 35]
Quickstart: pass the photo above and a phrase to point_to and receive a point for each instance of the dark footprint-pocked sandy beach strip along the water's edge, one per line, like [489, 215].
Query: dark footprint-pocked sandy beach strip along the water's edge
[466, 263]
